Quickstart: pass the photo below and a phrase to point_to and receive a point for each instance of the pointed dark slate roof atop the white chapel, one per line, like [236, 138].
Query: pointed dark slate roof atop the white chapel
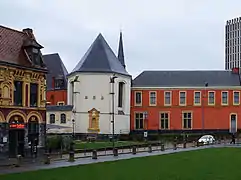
[100, 58]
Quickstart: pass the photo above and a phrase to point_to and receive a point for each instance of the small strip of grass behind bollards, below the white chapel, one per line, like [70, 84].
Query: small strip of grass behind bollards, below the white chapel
[96, 145]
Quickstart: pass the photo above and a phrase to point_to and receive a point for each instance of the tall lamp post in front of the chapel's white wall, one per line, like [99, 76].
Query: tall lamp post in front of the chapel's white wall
[112, 82]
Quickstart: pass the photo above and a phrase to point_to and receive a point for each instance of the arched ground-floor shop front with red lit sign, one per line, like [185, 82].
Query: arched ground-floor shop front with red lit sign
[22, 134]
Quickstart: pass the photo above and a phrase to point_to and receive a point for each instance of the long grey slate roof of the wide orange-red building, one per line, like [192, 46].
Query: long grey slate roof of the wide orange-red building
[186, 79]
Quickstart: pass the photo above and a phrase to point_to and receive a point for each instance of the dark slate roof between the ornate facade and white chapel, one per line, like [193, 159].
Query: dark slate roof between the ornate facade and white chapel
[56, 69]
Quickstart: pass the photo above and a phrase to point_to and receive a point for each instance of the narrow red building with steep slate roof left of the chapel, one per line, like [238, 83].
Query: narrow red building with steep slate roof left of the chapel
[56, 80]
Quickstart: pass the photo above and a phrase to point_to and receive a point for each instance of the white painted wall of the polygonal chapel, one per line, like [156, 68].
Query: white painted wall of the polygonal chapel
[96, 85]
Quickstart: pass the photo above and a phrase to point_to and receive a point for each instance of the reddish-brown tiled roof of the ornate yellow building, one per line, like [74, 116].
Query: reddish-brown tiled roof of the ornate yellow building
[12, 50]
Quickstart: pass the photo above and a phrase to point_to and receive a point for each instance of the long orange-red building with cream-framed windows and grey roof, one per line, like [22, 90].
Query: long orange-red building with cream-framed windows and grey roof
[168, 101]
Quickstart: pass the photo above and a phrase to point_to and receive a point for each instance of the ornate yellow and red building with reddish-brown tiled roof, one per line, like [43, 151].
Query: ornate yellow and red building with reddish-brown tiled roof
[22, 91]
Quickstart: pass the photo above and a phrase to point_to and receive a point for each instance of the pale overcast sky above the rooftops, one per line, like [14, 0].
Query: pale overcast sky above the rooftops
[158, 34]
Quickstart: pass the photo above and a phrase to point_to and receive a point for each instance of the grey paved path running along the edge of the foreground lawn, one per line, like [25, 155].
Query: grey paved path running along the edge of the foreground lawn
[82, 161]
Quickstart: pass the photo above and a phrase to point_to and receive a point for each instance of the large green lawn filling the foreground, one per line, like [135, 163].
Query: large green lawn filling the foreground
[209, 164]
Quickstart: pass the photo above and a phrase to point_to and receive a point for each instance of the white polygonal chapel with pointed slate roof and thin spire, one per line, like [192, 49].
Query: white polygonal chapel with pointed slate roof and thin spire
[99, 78]
